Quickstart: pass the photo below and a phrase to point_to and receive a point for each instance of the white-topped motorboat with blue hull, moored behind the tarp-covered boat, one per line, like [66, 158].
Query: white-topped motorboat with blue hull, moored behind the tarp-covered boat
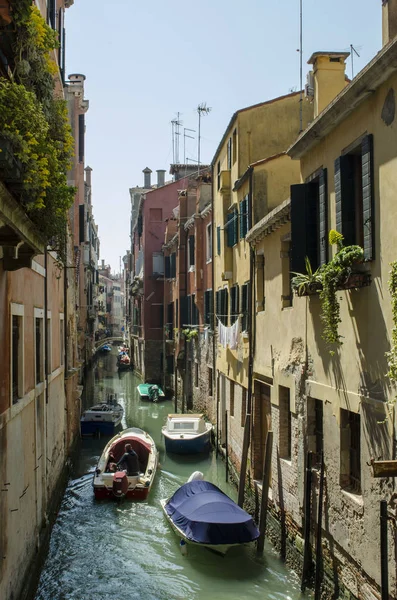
[187, 434]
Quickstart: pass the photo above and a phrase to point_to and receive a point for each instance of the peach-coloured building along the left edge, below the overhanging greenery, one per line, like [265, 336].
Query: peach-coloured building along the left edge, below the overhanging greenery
[39, 392]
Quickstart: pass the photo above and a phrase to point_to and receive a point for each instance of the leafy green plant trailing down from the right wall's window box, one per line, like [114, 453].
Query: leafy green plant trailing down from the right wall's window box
[333, 275]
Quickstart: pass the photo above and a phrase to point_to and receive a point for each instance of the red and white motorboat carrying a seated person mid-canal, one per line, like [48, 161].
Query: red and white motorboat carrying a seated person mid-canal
[109, 483]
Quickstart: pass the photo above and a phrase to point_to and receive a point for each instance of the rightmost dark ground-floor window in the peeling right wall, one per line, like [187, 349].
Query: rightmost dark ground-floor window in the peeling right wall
[350, 448]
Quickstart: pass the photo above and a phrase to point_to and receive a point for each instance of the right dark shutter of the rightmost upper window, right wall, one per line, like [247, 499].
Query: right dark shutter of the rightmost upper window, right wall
[368, 196]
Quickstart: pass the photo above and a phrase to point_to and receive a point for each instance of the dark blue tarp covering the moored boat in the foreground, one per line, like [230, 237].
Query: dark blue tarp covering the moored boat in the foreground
[208, 516]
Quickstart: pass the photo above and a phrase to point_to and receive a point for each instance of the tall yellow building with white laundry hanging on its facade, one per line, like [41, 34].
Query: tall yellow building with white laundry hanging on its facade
[248, 162]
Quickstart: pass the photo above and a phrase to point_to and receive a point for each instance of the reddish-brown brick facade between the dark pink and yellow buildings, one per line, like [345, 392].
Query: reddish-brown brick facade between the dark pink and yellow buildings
[188, 323]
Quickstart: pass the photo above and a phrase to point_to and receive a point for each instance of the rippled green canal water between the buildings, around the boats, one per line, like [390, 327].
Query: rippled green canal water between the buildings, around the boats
[103, 550]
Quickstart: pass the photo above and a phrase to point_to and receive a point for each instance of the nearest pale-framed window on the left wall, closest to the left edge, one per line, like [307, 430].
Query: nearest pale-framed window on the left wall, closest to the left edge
[17, 353]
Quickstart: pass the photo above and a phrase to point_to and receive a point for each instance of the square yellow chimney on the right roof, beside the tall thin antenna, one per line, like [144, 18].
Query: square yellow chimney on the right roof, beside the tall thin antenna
[329, 77]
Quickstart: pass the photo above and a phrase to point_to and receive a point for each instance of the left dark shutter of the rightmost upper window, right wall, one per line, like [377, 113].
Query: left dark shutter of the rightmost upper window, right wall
[345, 198]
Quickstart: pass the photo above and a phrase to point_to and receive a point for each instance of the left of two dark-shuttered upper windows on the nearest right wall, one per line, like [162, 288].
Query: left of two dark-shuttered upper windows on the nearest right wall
[309, 223]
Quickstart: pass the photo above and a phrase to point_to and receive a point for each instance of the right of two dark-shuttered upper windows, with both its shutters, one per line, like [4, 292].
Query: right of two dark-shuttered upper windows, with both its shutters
[354, 196]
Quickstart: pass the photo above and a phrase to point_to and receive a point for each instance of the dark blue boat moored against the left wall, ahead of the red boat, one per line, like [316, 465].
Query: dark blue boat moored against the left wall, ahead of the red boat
[102, 418]
